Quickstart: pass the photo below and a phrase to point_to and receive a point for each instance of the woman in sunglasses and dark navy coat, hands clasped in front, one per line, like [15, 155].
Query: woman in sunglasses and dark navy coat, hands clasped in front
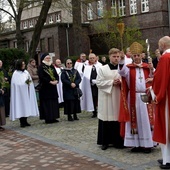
[71, 80]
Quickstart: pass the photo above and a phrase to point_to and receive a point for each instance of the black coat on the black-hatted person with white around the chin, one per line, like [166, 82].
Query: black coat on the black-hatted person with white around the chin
[47, 90]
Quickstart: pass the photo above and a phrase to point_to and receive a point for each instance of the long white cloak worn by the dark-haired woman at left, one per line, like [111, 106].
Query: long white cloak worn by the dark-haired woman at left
[23, 101]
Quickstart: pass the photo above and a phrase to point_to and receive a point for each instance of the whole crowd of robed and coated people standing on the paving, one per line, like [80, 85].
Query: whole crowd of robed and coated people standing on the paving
[110, 90]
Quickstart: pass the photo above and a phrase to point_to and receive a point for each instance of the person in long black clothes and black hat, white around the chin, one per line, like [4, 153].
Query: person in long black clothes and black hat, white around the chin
[49, 107]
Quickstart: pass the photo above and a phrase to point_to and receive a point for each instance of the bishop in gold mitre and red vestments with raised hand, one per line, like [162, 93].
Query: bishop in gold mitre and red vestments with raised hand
[138, 128]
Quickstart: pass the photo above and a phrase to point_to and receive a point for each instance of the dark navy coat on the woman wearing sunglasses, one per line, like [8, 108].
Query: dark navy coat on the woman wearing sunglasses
[68, 91]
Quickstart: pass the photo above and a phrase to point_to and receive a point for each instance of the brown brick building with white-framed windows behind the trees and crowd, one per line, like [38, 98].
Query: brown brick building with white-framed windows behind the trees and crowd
[152, 16]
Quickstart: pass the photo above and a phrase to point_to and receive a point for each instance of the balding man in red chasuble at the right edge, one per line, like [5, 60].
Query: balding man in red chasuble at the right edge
[161, 97]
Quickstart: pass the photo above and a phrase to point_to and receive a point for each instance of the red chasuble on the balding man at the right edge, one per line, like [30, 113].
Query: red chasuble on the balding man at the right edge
[161, 88]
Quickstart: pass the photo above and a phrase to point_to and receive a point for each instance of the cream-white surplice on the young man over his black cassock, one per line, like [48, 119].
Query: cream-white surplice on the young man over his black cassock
[109, 95]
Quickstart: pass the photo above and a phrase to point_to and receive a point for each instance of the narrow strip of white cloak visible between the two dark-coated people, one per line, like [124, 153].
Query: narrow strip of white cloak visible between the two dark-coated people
[59, 86]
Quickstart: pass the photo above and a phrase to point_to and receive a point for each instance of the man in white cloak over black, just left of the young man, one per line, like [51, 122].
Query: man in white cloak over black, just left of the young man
[89, 88]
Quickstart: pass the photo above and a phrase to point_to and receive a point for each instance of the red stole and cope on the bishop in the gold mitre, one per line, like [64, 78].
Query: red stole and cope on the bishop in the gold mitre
[124, 91]
